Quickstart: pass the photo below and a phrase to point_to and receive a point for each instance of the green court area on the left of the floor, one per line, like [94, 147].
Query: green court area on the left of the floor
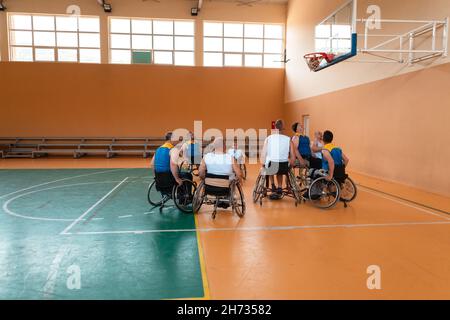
[91, 234]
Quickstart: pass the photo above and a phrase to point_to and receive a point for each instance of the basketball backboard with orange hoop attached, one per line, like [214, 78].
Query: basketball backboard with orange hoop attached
[335, 37]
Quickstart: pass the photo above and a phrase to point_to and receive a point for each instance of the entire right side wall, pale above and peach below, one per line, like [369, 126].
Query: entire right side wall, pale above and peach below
[391, 120]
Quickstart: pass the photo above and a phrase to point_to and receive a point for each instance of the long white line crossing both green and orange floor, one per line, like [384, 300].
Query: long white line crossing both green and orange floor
[273, 228]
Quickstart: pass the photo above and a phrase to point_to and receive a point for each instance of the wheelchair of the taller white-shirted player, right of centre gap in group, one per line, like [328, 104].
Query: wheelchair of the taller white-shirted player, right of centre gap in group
[263, 190]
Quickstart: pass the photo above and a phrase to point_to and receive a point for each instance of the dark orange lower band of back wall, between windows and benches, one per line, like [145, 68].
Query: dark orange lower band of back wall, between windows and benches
[53, 99]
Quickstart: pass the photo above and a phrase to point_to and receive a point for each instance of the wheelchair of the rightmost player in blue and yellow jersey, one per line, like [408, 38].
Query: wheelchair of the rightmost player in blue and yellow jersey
[325, 194]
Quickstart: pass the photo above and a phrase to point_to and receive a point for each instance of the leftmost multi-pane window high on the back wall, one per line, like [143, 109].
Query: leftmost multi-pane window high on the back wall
[61, 38]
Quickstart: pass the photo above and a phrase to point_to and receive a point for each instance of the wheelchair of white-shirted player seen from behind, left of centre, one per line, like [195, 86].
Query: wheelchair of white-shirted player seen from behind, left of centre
[220, 192]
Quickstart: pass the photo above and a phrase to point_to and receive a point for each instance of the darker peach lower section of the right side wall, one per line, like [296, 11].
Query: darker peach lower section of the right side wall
[395, 129]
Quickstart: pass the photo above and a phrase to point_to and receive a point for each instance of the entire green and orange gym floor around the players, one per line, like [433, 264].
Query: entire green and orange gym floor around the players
[96, 217]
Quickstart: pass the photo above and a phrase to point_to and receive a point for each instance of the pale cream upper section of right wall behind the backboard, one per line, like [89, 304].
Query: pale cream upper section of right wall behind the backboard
[302, 17]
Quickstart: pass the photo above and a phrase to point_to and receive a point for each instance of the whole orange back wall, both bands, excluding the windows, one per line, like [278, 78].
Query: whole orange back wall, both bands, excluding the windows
[59, 99]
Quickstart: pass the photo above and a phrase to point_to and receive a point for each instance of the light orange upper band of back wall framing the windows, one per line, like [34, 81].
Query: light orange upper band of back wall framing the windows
[171, 9]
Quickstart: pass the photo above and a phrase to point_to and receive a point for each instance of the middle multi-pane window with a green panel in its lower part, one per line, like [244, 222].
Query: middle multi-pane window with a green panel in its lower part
[152, 41]
